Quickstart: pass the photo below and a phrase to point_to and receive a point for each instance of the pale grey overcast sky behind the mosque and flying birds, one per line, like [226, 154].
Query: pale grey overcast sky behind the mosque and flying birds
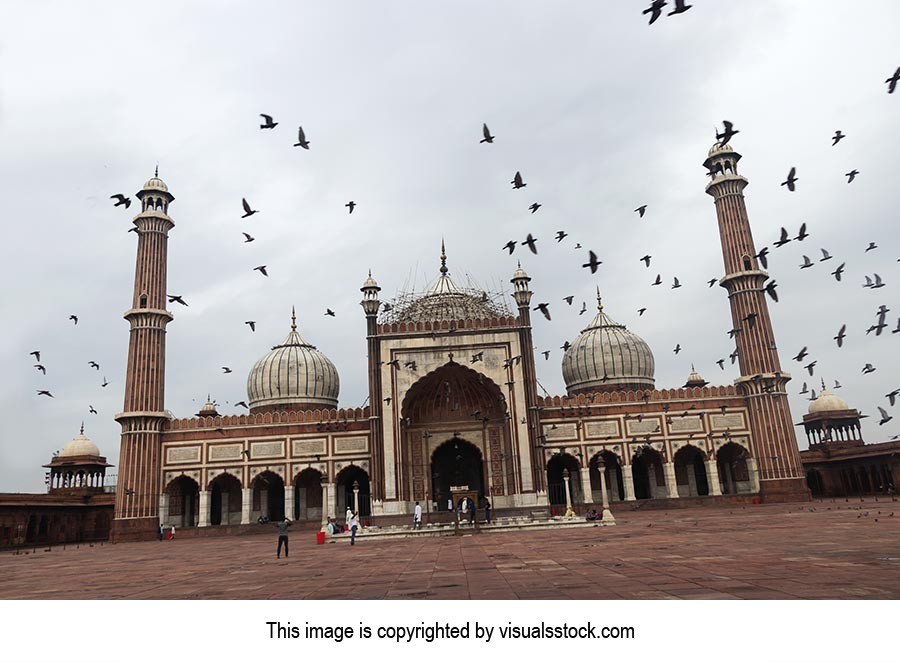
[599, 111]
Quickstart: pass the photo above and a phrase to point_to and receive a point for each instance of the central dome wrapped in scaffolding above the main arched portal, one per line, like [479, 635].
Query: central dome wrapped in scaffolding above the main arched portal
[445, 301]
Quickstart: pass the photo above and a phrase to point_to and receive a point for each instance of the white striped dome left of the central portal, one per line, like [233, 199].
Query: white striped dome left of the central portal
[294, 375]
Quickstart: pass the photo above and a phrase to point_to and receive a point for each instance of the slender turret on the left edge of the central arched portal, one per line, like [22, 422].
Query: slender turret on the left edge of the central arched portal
[371, 304]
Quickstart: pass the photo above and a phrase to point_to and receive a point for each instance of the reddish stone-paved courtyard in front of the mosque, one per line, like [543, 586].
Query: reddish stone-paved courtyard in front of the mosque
[769, 551]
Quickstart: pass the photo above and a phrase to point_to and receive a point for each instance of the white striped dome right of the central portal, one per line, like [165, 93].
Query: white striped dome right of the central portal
[607, 357]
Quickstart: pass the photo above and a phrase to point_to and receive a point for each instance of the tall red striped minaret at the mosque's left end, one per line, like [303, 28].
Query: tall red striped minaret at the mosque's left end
[143, 416]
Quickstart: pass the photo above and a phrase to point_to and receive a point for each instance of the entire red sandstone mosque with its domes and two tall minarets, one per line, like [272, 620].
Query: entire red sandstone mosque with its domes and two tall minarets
[454, 409]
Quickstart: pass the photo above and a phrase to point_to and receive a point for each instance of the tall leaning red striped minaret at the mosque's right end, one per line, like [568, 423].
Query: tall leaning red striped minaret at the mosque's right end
[762, 380]
